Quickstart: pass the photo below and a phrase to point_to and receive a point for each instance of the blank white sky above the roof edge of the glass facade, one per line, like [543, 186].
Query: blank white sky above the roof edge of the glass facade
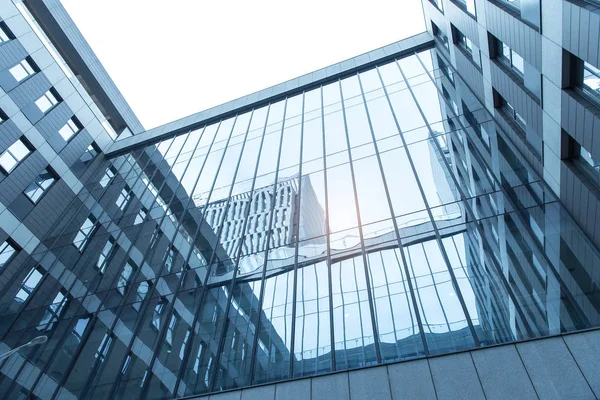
[174, 58]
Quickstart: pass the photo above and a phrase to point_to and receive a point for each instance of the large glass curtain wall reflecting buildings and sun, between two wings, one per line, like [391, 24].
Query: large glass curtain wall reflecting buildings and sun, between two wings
[376, 218]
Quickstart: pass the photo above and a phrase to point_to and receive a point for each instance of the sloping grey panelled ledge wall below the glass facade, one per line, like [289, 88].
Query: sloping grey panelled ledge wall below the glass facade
[556, 368]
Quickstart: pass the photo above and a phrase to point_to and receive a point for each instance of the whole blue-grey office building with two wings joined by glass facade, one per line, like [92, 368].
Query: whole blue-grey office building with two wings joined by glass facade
[415, 222]
